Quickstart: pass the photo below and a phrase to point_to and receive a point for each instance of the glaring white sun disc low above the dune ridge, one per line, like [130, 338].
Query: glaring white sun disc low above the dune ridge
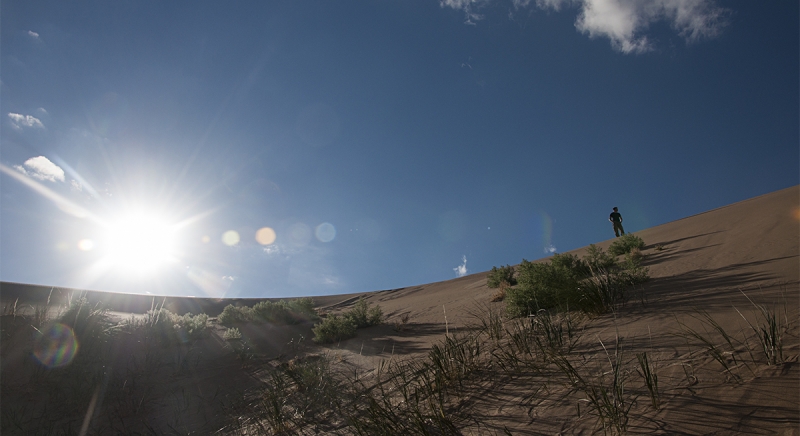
[140, 242]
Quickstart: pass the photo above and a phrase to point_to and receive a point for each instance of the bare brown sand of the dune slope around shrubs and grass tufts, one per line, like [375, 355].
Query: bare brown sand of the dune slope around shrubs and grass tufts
[717, 266]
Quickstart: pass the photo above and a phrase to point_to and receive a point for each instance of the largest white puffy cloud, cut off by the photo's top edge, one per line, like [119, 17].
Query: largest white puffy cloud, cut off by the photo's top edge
[625, 22]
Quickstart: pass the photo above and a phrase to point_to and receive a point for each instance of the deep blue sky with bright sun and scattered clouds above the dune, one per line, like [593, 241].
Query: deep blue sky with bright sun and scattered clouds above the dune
[374, 144]
